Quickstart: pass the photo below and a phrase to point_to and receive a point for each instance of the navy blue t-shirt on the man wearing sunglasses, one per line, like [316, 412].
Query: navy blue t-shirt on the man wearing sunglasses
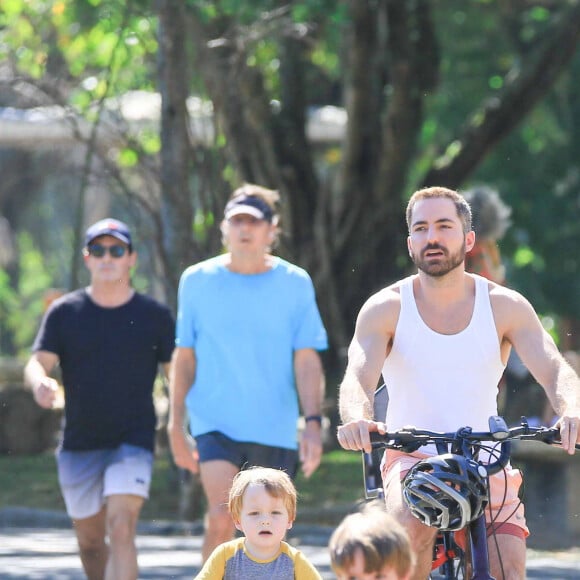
[109, 359]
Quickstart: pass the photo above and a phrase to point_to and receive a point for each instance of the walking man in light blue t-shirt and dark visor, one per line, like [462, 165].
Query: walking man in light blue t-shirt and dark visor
[248, 332]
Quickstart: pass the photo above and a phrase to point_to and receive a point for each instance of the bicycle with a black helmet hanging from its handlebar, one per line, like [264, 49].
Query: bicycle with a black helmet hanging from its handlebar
[431, 498]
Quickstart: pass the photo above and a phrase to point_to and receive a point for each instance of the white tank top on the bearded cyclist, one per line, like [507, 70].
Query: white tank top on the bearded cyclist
[443, 382]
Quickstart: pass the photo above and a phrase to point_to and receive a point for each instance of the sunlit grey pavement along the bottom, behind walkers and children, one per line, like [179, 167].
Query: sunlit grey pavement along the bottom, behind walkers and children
[37, 553]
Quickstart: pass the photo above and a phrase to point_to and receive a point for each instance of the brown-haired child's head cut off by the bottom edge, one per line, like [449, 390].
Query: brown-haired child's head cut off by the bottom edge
[368, 543]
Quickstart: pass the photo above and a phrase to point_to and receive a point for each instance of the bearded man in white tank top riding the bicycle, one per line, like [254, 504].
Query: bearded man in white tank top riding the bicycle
[441, 339]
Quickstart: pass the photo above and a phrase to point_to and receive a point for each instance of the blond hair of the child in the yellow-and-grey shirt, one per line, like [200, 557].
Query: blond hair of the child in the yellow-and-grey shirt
[276, 482]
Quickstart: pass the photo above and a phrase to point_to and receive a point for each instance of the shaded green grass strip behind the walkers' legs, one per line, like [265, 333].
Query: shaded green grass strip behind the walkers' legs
[31, 481]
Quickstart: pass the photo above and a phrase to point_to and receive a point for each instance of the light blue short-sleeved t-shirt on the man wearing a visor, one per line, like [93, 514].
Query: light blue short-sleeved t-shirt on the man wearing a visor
[244, 329]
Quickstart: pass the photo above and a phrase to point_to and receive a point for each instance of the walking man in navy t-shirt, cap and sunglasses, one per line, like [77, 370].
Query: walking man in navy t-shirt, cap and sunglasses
[109, 341]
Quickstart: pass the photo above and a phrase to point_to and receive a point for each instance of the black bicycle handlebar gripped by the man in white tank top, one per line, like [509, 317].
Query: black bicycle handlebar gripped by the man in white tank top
[411, 439]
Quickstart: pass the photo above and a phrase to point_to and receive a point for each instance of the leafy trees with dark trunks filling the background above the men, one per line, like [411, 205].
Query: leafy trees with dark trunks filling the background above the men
[450, 93]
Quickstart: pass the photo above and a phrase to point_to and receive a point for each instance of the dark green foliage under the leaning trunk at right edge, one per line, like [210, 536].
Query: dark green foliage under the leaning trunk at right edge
[535, 171]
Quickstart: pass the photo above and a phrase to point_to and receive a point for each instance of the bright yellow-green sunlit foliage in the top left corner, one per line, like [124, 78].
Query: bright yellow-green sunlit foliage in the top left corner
[112, 41]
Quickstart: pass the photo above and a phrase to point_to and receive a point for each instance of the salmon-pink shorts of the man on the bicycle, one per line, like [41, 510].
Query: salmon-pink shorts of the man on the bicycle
[505, 511]
